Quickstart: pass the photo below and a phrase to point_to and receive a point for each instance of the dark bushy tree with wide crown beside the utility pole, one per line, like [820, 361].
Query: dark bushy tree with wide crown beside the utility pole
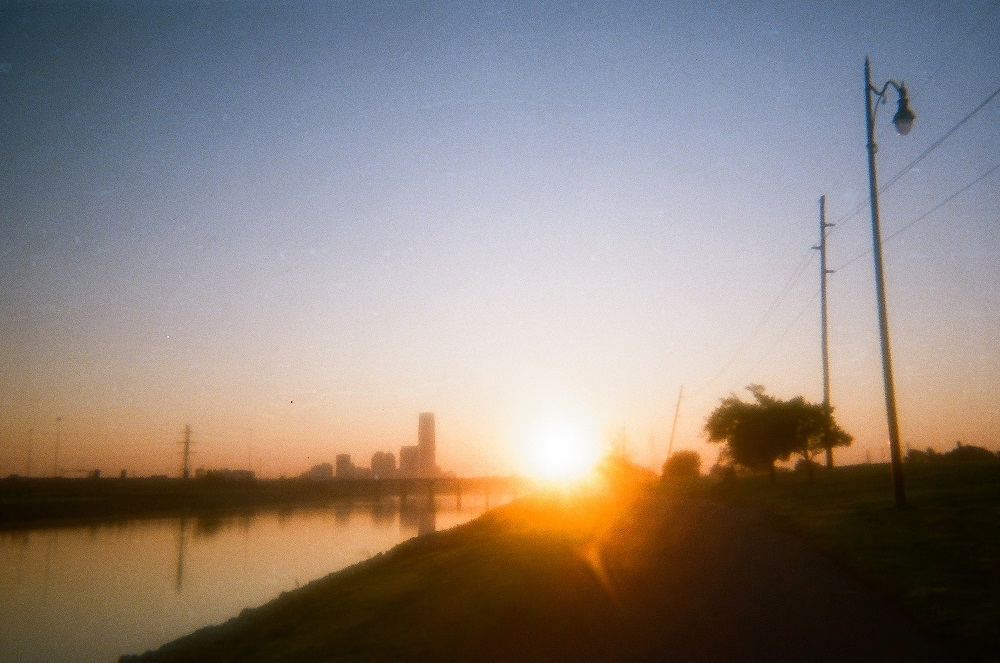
[759, 433]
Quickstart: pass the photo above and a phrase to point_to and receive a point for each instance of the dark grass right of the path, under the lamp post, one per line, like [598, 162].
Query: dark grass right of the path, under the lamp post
[938, 557]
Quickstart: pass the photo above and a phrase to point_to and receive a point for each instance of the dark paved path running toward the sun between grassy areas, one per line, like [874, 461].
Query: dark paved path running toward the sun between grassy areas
[707, 581]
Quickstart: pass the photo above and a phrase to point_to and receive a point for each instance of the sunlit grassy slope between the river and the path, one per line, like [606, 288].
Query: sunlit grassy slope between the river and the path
[415, 601]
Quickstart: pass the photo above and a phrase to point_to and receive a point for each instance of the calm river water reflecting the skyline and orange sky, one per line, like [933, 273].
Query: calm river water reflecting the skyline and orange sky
[92, 593]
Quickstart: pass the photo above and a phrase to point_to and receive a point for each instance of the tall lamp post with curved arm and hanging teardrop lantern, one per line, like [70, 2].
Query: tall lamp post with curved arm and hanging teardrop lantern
[903, 120]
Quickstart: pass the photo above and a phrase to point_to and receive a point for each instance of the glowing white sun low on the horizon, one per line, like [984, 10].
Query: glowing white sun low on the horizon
[561, 451]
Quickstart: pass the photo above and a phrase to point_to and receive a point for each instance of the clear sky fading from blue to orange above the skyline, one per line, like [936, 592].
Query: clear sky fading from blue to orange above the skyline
[295, 226]
